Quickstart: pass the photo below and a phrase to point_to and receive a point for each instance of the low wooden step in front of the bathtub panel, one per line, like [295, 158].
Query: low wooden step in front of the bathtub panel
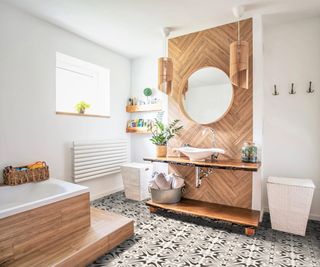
[80, 248]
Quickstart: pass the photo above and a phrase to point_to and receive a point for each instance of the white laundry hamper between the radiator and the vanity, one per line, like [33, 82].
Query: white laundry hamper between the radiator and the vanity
[136, 177]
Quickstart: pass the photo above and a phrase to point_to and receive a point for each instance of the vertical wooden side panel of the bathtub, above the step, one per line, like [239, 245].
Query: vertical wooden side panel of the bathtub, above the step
[26, 232]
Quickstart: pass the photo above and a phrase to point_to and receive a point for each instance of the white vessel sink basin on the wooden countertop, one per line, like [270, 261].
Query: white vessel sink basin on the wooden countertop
[196, 154]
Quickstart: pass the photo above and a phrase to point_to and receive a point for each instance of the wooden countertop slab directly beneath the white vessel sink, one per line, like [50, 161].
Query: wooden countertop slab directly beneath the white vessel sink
[218, 164]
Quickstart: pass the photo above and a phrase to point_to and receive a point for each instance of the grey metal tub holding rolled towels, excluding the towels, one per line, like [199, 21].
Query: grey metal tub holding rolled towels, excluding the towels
[169, 196]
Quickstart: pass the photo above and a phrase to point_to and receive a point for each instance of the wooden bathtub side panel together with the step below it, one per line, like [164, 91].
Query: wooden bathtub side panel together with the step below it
[64, 233]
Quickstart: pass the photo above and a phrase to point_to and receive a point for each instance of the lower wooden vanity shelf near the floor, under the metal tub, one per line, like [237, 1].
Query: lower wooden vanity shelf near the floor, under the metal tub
[236, 215]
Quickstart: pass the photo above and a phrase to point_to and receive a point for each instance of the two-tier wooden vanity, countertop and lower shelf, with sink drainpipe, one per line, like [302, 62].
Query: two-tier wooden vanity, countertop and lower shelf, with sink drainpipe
[247, 217]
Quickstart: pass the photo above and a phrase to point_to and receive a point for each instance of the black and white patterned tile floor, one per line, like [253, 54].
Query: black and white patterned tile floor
[167, 239]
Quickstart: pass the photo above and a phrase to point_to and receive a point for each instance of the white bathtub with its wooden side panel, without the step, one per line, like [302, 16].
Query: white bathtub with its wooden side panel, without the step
[35, 215]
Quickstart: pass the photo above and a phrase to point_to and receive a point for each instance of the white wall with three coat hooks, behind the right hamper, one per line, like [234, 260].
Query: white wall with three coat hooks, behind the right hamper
[292, 122]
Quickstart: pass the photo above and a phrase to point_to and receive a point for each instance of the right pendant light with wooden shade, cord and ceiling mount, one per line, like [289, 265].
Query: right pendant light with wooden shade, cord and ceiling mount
[239, 57]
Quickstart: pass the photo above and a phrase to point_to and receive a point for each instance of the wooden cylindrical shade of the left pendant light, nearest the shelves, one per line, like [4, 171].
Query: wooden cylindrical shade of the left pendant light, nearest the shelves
[165, 74]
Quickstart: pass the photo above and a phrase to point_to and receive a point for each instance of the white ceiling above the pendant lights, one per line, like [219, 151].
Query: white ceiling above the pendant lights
[132, 27]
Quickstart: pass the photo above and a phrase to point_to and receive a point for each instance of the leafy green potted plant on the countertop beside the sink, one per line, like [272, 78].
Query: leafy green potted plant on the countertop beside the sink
[162, 133]
